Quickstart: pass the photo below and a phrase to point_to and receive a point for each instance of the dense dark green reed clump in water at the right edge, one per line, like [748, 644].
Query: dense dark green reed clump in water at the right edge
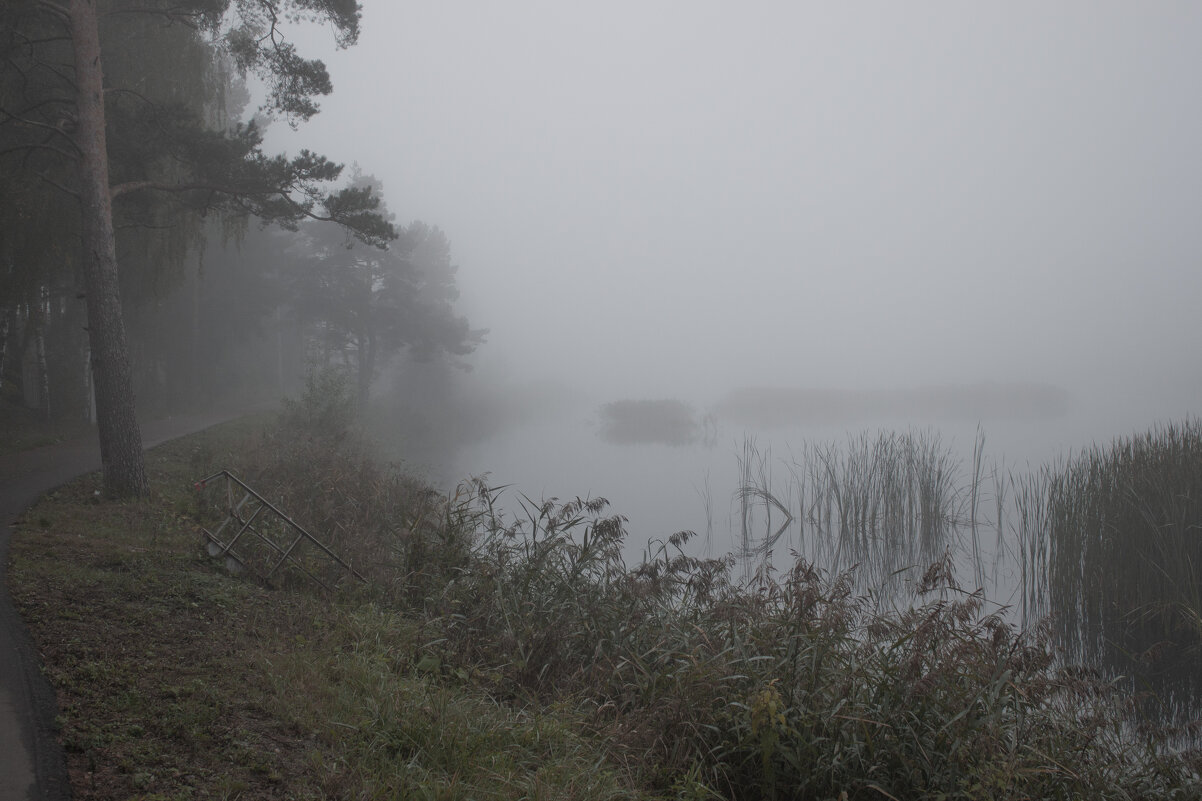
[1114, 547]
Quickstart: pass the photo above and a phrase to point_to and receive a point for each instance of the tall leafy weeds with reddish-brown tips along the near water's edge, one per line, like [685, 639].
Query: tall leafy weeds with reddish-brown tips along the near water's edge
[793, 687]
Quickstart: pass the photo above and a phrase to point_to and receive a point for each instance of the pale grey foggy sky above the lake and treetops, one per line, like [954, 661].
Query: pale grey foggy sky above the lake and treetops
[677, 199]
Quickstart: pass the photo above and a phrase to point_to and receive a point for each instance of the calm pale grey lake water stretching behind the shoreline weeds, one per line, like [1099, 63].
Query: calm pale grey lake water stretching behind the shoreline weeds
[669, 466]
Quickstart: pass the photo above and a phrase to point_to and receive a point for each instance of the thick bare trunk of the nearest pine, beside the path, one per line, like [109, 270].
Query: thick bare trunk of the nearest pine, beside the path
[121, 438]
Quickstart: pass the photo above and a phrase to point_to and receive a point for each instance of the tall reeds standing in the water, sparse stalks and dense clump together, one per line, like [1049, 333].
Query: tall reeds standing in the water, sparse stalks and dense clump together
[1108, 544]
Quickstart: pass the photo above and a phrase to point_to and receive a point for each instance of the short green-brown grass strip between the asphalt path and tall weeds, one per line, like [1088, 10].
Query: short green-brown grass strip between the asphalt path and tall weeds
[177, 681]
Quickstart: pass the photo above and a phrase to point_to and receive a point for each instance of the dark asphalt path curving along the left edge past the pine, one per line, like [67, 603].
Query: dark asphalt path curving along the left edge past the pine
[32, 763]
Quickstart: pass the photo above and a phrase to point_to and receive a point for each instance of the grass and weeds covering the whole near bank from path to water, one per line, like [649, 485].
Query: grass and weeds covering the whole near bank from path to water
[492, 656]
